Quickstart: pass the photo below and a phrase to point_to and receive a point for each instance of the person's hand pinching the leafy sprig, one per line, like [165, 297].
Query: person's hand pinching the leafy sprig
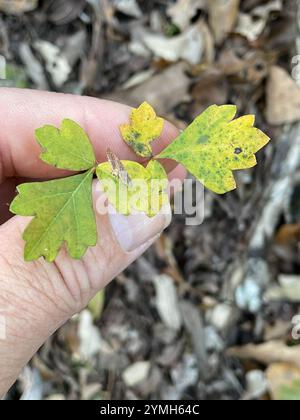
[36, 298]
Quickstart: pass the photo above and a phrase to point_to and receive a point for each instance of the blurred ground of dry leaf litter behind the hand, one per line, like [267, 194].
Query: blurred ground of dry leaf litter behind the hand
[211, 311]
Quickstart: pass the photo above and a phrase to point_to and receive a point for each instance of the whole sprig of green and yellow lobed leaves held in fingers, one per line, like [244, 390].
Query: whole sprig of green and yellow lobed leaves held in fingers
[211, 148]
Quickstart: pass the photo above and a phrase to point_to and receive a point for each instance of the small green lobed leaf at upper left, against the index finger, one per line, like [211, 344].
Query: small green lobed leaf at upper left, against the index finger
[67, 148]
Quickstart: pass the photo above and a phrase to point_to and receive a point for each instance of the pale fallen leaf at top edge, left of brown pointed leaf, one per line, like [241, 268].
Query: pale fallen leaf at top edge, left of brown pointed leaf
[182, 11]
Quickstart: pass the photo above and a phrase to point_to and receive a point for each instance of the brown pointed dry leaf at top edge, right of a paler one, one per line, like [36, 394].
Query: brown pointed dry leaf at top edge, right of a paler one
[222, 17]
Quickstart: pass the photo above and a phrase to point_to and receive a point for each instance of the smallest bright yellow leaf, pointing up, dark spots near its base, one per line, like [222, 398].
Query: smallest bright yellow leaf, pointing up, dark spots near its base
[143, 129]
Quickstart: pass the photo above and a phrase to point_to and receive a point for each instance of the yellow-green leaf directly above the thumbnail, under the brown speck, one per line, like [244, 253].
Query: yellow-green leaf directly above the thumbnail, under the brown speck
[145, 193]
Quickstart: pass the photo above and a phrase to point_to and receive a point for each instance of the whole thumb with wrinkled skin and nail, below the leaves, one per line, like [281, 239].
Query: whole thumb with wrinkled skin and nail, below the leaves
[37, 298]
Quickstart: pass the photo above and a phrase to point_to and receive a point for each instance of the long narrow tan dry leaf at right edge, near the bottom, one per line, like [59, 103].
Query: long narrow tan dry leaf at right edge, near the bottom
[267, 353]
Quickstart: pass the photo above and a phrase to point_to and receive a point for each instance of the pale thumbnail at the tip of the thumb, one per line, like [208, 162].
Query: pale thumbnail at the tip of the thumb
[135, 230]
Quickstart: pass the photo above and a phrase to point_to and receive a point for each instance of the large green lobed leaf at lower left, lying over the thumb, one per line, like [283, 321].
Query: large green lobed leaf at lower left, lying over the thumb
[63, 212]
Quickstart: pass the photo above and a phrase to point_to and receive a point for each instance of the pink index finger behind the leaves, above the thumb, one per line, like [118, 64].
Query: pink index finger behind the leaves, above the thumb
[23, 111]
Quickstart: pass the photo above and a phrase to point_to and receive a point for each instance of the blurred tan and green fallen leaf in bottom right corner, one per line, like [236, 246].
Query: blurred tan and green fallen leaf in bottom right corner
[284, 381]
